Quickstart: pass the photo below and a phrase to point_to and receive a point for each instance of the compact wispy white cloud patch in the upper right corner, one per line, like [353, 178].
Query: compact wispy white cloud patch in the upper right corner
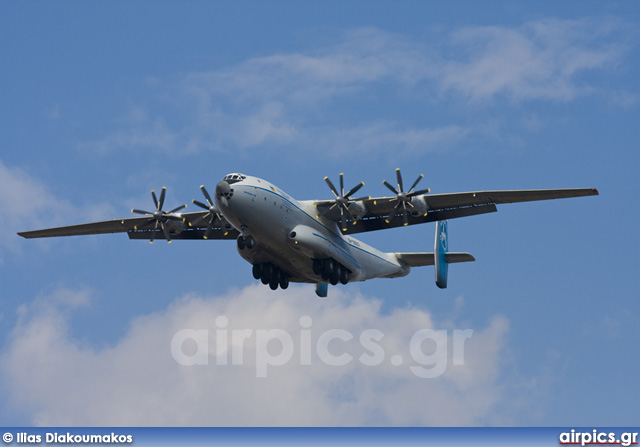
[540, 60]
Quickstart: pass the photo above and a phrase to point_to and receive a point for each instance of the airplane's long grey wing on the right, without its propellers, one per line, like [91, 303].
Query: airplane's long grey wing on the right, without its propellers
[381, 213]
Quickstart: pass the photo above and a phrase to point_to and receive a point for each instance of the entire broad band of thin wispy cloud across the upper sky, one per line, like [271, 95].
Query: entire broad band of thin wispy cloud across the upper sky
[318, 99]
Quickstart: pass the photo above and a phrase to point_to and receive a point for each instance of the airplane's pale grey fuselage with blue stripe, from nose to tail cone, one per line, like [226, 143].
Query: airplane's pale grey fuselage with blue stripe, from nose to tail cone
[289, 234]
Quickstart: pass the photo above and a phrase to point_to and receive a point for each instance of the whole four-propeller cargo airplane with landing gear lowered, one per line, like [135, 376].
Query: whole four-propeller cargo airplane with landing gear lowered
[309, 241]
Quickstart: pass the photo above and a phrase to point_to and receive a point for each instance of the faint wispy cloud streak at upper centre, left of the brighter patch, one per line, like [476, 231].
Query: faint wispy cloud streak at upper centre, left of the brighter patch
[360, 58]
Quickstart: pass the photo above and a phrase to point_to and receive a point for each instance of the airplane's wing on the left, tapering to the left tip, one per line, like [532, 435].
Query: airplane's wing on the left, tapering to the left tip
[188, 226]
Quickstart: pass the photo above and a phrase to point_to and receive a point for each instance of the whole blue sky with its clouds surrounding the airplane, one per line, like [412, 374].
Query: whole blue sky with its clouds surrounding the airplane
[102, 102]
